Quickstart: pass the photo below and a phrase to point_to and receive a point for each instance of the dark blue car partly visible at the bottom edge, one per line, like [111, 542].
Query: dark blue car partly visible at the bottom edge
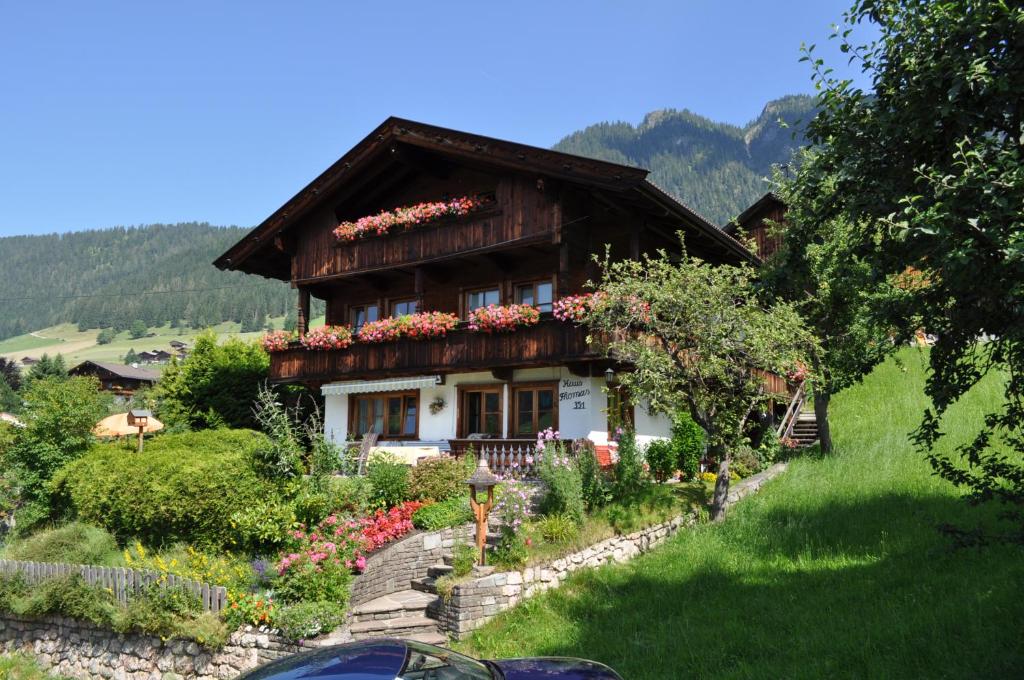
[406, 660]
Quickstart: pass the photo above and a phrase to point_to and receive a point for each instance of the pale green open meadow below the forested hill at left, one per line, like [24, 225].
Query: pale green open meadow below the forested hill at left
[78, 346]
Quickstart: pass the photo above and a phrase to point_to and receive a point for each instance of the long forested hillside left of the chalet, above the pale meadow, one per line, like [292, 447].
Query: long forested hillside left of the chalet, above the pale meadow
[111, 278]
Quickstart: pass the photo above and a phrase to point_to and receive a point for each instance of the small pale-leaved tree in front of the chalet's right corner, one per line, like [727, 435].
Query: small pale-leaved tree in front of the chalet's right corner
[695, 336]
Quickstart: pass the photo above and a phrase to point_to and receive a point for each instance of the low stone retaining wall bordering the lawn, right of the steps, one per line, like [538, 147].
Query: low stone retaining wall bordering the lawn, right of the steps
[475, 603]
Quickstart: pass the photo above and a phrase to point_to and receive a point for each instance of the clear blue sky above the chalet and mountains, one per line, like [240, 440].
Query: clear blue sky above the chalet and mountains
[130, 113]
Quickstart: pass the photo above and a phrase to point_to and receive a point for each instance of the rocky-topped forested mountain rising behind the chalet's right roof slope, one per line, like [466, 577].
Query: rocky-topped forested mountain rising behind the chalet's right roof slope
[716, 168]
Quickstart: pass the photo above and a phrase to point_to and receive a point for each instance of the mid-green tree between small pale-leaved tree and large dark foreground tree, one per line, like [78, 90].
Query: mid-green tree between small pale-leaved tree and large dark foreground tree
[836, 291]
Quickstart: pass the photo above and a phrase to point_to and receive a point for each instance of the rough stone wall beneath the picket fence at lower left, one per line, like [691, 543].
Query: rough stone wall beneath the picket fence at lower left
[79, 650]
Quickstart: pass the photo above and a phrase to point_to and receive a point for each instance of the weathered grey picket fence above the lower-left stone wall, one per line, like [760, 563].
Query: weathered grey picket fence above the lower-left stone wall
[122, 582]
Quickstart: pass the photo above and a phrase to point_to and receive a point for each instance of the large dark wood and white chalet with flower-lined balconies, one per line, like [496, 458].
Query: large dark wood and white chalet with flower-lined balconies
[545, 216]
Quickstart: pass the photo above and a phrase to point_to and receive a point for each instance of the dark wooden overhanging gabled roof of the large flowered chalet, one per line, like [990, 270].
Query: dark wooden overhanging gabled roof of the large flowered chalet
[255, 253]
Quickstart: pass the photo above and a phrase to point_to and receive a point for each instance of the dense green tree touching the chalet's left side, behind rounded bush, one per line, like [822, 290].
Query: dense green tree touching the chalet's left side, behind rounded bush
[216, 386]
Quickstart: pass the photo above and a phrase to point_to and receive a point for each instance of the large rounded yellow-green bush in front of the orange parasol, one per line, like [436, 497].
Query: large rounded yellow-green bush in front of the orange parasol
[184, 487]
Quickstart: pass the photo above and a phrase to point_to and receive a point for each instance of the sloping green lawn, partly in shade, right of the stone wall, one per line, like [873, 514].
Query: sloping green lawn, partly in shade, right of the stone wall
[836, 570]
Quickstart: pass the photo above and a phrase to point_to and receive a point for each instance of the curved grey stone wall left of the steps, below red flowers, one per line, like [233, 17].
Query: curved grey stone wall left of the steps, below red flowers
[396, 567]
